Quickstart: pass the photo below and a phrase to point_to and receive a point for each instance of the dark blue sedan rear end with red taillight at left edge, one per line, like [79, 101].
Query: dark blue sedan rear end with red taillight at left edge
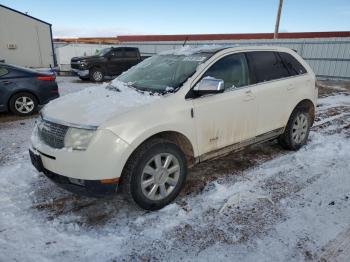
[22, 90]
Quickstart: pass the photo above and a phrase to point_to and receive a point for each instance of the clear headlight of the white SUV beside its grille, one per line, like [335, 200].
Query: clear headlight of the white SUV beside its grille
[78, 138]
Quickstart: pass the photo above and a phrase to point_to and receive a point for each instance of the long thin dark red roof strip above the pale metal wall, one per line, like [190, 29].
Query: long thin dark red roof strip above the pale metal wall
[203, 37]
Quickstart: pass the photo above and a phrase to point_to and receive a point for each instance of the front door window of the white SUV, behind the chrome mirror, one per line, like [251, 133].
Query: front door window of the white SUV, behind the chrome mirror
[233, 69]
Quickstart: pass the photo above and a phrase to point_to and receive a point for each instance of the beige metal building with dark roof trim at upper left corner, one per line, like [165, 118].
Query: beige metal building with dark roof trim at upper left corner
[25, 40]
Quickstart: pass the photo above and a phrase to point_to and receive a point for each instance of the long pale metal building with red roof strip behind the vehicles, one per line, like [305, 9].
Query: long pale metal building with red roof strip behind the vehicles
[328, 53]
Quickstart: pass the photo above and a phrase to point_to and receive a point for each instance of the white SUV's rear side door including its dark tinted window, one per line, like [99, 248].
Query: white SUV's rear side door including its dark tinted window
[272, 81]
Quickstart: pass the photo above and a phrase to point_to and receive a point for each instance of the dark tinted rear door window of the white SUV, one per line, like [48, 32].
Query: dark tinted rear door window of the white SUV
[267, 66]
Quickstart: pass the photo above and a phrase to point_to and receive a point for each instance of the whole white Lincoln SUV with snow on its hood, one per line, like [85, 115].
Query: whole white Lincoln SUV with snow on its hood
[140, 132]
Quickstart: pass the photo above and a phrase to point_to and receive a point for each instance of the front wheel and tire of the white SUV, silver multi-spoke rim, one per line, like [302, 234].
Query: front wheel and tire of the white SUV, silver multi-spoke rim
[161, 184]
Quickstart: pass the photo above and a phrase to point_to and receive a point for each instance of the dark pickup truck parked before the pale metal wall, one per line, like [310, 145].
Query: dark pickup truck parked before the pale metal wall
[110, 61]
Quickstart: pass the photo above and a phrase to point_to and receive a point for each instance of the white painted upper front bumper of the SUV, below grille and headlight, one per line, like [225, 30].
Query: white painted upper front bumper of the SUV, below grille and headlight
[104, 158]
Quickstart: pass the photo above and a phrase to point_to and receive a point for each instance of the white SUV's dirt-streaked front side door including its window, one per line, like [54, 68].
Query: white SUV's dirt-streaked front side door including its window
[230, 117]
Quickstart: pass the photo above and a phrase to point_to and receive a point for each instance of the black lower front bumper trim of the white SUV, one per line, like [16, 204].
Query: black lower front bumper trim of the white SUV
[95, 188]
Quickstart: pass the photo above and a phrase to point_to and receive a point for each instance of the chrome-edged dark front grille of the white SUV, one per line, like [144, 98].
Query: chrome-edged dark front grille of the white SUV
[52, 134]
